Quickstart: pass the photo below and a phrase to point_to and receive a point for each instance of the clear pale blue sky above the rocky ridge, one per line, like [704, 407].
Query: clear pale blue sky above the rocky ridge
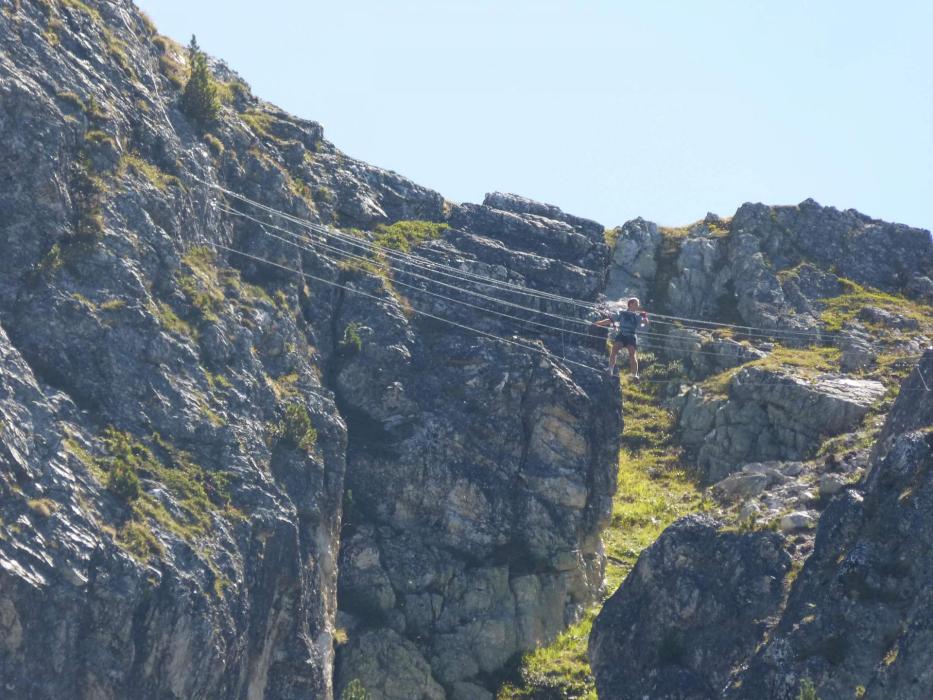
[609, 109]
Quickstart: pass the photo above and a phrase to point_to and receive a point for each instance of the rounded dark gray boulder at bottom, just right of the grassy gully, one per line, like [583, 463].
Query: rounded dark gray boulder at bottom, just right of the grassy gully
[693, 607]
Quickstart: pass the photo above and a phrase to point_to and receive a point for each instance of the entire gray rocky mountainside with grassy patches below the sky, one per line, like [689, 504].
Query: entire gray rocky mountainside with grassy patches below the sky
[244, 457]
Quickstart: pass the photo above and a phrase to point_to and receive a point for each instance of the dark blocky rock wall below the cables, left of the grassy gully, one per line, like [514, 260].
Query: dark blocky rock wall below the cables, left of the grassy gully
[480, 479]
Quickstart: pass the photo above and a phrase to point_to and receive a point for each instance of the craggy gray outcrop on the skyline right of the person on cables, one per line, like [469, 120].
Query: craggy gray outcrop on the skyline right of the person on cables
[772, 268]
